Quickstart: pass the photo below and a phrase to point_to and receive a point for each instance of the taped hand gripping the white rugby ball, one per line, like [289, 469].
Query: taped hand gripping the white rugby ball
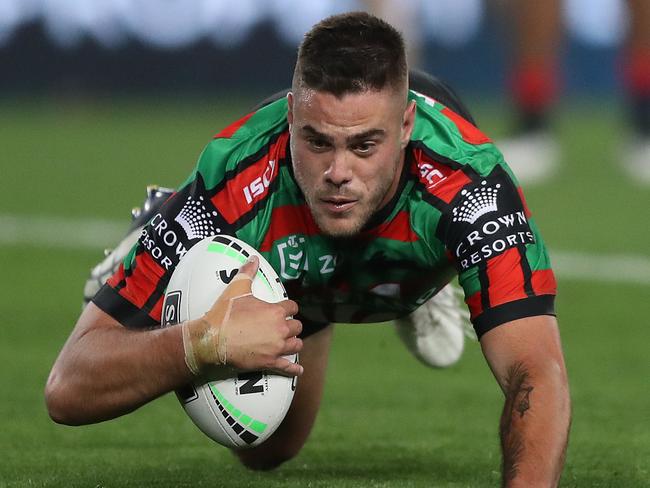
[244, 332]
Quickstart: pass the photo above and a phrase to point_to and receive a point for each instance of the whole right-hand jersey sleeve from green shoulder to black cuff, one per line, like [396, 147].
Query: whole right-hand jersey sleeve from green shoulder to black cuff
[482, 220]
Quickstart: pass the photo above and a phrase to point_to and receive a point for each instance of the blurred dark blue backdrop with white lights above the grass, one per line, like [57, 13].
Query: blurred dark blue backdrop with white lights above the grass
[125, 46]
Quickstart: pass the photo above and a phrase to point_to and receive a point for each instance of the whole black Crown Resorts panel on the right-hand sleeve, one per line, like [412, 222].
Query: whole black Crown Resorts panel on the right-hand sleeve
[486, 218]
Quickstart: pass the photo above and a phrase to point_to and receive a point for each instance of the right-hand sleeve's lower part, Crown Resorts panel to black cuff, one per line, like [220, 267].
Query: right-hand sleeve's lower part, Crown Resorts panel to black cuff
[498, 251]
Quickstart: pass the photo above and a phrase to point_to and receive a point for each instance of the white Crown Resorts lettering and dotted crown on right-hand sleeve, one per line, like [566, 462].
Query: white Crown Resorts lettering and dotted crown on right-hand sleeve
[489, 229]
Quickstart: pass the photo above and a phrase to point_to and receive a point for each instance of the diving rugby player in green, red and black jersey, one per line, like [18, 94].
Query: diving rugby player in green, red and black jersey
[368, 199]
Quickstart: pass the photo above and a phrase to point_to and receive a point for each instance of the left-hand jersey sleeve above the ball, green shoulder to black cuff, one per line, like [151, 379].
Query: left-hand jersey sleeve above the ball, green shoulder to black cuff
[229, 184]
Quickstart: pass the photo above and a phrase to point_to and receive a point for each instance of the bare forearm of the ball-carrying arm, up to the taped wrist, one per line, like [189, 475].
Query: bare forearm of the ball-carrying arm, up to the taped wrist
[111, 371]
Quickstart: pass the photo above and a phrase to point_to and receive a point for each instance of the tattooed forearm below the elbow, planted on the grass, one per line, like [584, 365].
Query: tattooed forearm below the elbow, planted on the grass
[534, 424]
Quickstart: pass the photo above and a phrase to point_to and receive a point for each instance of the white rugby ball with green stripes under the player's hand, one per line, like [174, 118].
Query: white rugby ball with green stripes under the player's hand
[236, 410]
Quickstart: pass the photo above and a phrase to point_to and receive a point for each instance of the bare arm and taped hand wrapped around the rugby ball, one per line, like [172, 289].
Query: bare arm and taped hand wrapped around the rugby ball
[106, 370]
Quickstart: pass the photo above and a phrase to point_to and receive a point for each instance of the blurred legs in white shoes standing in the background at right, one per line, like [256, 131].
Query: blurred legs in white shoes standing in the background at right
[532, 151]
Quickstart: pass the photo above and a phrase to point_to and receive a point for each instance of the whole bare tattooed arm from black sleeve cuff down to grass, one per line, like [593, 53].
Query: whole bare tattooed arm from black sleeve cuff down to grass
[526, 358]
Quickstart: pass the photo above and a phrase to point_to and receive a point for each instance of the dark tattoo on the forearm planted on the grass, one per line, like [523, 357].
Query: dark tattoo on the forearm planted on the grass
[518, 393]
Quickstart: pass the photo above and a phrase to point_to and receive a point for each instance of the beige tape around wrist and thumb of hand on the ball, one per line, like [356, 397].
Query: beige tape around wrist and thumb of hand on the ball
[205, 340]
